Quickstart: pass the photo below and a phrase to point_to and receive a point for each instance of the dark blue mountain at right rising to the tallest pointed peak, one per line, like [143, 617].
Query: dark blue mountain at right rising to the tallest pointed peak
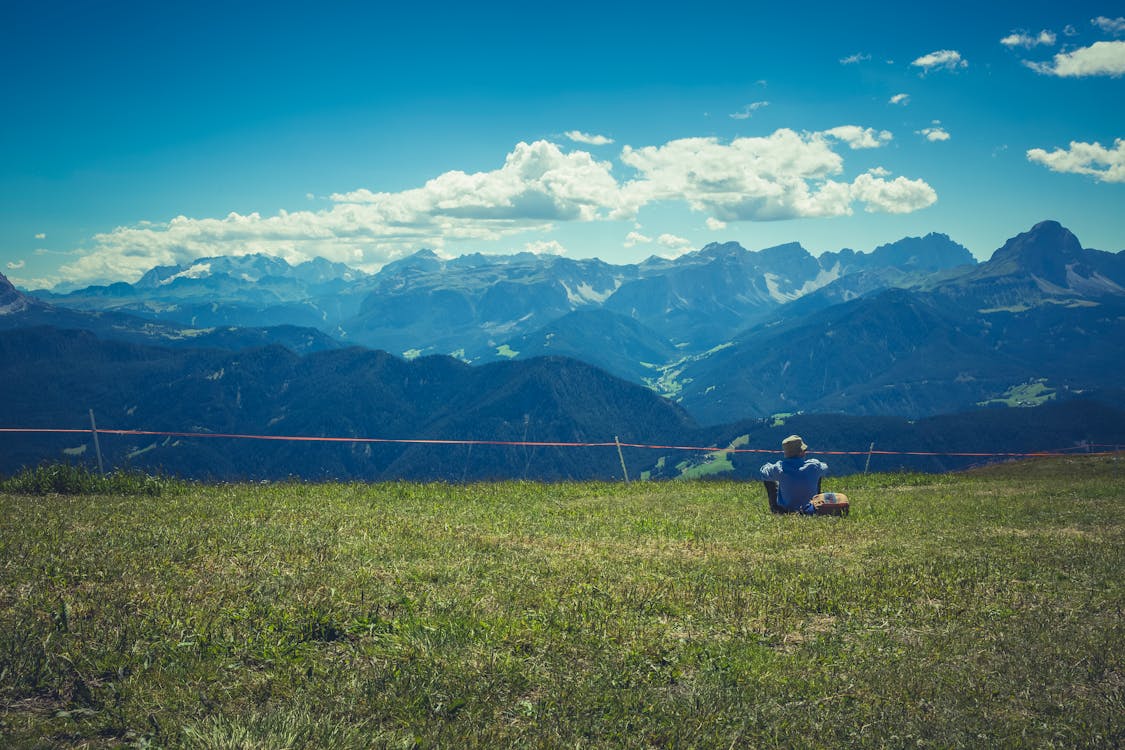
[1042, 309]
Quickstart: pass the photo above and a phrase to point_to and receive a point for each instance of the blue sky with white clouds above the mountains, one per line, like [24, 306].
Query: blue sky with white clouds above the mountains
[145, 134]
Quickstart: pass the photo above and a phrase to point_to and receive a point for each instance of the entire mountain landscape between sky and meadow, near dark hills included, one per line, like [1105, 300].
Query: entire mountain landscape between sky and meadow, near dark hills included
[717, 342]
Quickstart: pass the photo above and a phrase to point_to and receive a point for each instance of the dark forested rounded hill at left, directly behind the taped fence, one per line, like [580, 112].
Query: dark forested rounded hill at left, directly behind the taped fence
[341, 394]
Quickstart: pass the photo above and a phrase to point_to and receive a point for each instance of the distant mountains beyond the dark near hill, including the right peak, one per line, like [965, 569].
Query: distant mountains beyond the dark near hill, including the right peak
[915, 328]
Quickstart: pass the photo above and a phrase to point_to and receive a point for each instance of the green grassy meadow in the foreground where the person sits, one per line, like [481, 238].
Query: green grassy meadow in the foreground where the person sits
[978, 610]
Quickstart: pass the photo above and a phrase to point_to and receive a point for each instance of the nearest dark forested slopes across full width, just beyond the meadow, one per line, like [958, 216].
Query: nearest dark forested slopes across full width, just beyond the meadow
[53, 377]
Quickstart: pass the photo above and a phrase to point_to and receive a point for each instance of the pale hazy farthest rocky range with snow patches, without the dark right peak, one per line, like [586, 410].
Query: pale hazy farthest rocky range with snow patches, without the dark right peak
[474, 305]
